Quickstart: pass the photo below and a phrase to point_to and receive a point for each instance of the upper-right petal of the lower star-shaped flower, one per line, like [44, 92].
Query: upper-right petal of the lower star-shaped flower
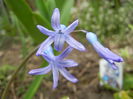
[65, 53]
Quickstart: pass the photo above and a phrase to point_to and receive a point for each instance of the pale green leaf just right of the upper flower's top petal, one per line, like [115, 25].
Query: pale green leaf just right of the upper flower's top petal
[65, 15]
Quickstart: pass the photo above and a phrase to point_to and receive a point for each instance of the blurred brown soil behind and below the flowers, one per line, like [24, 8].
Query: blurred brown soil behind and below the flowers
[87, 73]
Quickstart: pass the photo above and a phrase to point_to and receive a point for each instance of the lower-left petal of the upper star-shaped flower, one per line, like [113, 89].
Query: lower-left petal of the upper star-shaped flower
[44, 45]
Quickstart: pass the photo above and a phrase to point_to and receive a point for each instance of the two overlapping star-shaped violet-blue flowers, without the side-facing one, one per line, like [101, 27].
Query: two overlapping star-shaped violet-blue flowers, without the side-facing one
[57, 64]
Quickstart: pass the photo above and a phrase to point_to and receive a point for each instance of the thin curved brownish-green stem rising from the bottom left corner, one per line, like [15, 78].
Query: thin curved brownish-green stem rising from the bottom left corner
[17, 70]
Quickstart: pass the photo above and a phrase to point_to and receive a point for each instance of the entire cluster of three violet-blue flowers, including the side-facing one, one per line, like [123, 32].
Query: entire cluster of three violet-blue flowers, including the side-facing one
[60, 35]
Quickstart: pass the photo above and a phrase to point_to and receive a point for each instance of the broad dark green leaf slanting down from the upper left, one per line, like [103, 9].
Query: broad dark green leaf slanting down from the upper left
[25, 16]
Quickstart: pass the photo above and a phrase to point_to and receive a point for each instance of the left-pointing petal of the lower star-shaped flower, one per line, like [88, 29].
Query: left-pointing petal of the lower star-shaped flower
[40, 71]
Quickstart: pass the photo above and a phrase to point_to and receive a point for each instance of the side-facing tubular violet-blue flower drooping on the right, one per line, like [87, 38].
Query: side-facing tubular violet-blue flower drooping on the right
[103, 52]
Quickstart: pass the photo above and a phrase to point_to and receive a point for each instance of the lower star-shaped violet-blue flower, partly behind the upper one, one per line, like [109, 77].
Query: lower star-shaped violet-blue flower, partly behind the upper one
[56, 64]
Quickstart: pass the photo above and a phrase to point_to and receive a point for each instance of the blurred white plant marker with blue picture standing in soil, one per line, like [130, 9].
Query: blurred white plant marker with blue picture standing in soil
[113, 78]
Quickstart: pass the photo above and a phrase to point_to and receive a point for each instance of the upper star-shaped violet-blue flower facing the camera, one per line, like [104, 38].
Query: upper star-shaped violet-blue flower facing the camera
[60, 34]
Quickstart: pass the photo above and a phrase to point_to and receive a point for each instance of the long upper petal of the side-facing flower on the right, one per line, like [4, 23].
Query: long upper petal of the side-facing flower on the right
[106, 53]
